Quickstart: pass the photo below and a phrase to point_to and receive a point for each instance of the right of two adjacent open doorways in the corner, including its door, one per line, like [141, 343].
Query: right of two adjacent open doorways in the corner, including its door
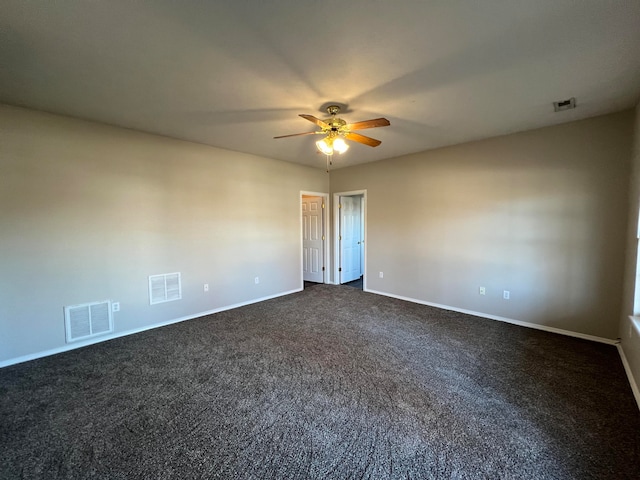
[350, 244]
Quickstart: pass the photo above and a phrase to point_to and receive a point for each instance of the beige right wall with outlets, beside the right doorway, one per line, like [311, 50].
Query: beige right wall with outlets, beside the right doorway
[542, 214]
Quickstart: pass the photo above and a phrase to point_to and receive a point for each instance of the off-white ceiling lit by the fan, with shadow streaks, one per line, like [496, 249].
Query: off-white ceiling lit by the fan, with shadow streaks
[235, 73]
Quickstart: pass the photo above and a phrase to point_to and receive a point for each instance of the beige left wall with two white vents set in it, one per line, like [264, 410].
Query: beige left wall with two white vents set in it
[88, 212]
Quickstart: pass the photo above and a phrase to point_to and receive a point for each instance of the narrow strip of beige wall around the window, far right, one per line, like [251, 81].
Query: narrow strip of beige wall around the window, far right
[630, 334]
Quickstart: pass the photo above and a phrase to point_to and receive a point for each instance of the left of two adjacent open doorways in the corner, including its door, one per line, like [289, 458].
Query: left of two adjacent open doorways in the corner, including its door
[314, 210]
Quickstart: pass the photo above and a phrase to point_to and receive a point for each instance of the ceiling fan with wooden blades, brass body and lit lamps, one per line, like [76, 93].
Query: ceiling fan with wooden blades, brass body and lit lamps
[336, 130]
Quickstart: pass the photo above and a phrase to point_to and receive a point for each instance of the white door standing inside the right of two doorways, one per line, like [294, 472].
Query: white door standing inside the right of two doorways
[350, 241]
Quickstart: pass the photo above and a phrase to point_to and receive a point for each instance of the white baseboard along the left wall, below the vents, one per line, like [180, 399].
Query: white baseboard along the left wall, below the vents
[66, 348]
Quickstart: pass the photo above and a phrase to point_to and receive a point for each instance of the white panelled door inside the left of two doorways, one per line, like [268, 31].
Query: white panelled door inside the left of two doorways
[312, 243]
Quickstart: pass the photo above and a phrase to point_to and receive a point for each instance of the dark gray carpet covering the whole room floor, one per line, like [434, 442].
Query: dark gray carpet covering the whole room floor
[328, 383]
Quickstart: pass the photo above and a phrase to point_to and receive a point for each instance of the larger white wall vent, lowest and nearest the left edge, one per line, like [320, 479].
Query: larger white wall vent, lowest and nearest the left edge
[87, 320]
